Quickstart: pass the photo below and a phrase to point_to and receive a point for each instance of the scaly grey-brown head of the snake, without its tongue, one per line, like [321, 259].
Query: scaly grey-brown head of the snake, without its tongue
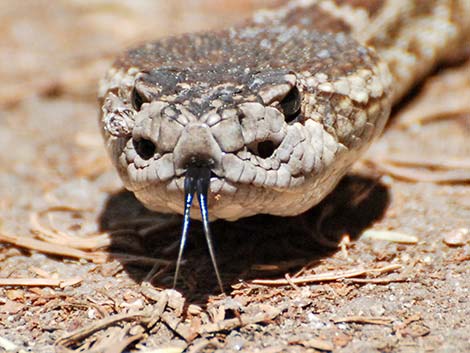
[276, 116]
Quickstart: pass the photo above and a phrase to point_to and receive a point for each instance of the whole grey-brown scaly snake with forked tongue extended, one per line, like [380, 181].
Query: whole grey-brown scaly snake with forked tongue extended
[267, 116]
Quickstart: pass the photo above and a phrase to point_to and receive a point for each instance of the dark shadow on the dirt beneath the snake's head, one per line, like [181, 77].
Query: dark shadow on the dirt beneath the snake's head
[257, 247]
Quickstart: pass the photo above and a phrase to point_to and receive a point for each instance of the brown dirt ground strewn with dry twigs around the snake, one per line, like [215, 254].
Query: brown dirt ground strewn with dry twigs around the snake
[382, 265]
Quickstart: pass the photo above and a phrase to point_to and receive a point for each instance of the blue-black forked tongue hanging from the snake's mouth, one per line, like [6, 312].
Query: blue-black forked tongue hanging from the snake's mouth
[197, 181]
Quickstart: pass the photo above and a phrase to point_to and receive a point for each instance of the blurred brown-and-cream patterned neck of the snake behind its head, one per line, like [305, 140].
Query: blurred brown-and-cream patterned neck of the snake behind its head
[410, 36]
